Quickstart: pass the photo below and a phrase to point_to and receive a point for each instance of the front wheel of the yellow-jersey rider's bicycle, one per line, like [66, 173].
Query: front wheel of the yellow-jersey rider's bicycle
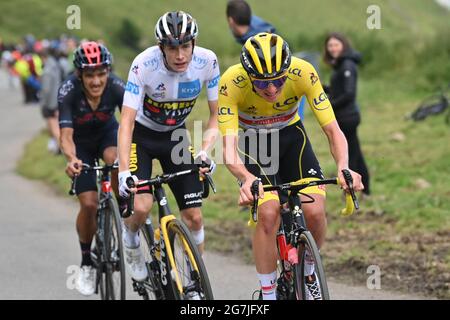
[310, 281]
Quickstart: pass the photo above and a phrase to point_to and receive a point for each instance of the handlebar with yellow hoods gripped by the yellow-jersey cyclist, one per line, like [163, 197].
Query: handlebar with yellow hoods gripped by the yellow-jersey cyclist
[351, 202]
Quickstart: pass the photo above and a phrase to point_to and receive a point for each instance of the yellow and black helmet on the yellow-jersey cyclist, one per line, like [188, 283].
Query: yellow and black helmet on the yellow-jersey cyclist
[265, 55]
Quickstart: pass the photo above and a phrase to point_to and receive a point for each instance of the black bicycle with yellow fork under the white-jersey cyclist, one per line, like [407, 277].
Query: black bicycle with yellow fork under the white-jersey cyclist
[175, 267]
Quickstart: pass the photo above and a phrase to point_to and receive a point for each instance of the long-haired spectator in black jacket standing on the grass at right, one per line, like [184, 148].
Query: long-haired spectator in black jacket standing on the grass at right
[342, 94]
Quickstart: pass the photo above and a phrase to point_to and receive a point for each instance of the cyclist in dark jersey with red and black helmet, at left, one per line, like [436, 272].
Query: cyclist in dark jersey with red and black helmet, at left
[87, 101]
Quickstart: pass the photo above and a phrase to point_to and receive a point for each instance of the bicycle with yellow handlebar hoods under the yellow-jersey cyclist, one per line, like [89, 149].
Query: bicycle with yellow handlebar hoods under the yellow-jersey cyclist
[297, 248]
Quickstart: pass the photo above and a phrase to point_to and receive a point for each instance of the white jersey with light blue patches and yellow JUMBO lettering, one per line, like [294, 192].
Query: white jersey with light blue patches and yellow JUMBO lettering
[163, 99]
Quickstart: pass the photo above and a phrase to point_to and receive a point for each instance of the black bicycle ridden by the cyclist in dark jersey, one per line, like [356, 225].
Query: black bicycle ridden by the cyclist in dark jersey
[107, 251]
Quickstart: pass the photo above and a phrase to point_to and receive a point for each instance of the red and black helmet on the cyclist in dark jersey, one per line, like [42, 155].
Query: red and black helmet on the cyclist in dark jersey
[91, 55]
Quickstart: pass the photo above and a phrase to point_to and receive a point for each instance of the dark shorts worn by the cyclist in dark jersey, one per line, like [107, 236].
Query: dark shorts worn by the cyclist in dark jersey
[88, 152]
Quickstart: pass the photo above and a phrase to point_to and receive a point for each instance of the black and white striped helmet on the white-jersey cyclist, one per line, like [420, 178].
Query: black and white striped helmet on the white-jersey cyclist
[175, 28]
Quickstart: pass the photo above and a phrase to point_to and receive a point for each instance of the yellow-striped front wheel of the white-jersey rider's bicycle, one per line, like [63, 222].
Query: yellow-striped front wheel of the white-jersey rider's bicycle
[189, 277]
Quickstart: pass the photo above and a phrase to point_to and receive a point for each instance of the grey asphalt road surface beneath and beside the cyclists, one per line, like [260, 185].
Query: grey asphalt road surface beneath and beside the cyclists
[38, 240]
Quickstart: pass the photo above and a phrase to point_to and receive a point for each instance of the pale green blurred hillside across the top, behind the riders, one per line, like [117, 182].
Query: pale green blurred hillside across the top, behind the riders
[303, 23]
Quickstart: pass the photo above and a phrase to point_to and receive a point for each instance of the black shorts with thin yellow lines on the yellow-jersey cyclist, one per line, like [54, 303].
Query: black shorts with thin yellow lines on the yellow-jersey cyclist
[280, 156]
